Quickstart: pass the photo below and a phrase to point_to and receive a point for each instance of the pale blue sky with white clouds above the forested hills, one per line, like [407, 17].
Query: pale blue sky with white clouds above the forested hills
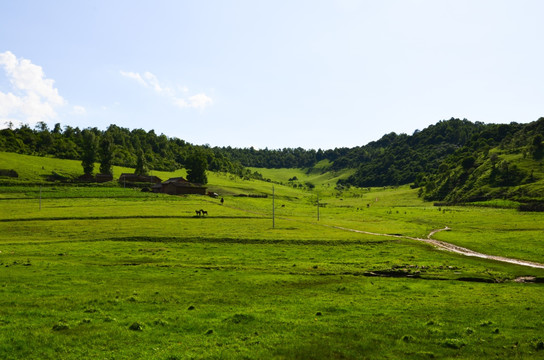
[270, 73]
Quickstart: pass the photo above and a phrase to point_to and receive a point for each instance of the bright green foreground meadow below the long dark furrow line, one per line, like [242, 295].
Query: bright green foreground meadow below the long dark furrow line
[169, 300]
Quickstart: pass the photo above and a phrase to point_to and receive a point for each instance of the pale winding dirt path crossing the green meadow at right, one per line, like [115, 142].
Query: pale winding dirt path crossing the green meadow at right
[452, 248]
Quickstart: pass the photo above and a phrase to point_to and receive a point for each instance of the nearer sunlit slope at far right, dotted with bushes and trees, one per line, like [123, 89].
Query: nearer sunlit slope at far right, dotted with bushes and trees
[502, 164]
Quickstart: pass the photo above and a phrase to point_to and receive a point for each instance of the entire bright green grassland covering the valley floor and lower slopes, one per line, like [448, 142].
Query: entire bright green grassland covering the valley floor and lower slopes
[112, 272]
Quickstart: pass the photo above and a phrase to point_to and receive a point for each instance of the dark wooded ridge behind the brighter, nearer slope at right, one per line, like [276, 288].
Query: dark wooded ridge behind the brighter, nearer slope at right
[398, 159]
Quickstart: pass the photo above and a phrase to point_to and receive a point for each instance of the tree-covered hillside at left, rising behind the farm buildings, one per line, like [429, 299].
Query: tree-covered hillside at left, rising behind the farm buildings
[123, 145]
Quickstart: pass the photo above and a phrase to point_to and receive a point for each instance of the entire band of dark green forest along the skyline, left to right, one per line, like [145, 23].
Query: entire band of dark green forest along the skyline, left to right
[453, 160]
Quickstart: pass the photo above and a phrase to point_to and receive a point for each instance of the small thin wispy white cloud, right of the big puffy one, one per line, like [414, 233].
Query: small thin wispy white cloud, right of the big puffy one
[149, 80]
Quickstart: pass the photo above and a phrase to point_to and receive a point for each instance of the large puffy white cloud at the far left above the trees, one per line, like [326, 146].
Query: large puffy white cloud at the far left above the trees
[33, 97]
